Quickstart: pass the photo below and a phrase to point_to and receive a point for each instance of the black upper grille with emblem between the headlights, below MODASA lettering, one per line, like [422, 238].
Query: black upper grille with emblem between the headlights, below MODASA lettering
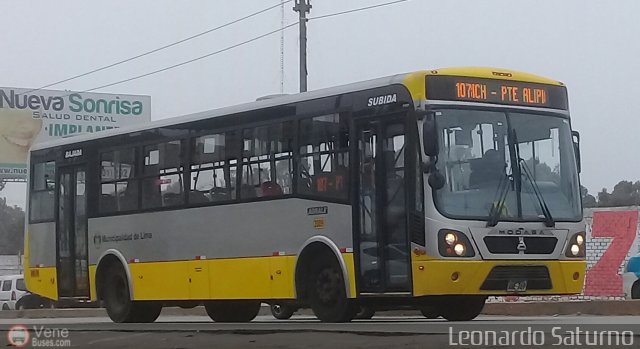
[509, 244]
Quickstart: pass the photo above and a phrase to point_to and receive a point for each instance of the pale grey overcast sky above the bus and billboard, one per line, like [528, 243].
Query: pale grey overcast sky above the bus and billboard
[590, 45]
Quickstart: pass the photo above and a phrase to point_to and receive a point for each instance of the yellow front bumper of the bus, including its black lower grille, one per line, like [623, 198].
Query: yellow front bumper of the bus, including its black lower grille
[498, 277]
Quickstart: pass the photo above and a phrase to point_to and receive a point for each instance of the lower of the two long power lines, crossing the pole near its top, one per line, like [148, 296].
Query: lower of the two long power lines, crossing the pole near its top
[236, 45]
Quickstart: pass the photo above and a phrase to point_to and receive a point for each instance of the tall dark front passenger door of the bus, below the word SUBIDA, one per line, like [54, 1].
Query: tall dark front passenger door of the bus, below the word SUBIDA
[383, 251]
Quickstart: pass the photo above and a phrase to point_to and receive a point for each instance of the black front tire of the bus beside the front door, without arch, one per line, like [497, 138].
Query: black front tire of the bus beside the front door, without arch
[327, 293]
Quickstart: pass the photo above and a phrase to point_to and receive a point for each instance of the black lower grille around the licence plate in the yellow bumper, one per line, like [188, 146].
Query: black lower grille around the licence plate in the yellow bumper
[537, 277]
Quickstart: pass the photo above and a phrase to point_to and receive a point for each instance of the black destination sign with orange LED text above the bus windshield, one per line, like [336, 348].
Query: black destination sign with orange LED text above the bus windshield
[454, 88]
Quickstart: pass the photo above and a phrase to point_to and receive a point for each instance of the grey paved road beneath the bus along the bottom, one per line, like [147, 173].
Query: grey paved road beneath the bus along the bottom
[307, 332]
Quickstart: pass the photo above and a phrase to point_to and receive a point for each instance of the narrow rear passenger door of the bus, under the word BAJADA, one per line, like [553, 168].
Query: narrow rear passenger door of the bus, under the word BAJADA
[71, 239]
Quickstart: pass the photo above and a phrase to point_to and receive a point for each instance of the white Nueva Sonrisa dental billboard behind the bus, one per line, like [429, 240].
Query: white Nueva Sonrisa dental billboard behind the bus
[32, 116]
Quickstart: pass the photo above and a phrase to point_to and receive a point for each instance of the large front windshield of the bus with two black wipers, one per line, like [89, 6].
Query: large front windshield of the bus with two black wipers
[511, 166]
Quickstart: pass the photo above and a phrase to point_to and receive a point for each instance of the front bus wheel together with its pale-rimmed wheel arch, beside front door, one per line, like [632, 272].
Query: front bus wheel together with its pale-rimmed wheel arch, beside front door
[322, 281]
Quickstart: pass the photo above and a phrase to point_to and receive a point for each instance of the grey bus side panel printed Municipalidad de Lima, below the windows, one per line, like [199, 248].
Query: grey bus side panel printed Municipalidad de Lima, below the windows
[223, 231]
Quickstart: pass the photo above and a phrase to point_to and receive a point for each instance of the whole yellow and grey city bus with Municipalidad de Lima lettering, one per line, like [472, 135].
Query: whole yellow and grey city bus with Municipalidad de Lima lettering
[434, 189]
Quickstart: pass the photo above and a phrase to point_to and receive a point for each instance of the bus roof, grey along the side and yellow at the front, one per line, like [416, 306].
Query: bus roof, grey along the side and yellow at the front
[414, 81]
